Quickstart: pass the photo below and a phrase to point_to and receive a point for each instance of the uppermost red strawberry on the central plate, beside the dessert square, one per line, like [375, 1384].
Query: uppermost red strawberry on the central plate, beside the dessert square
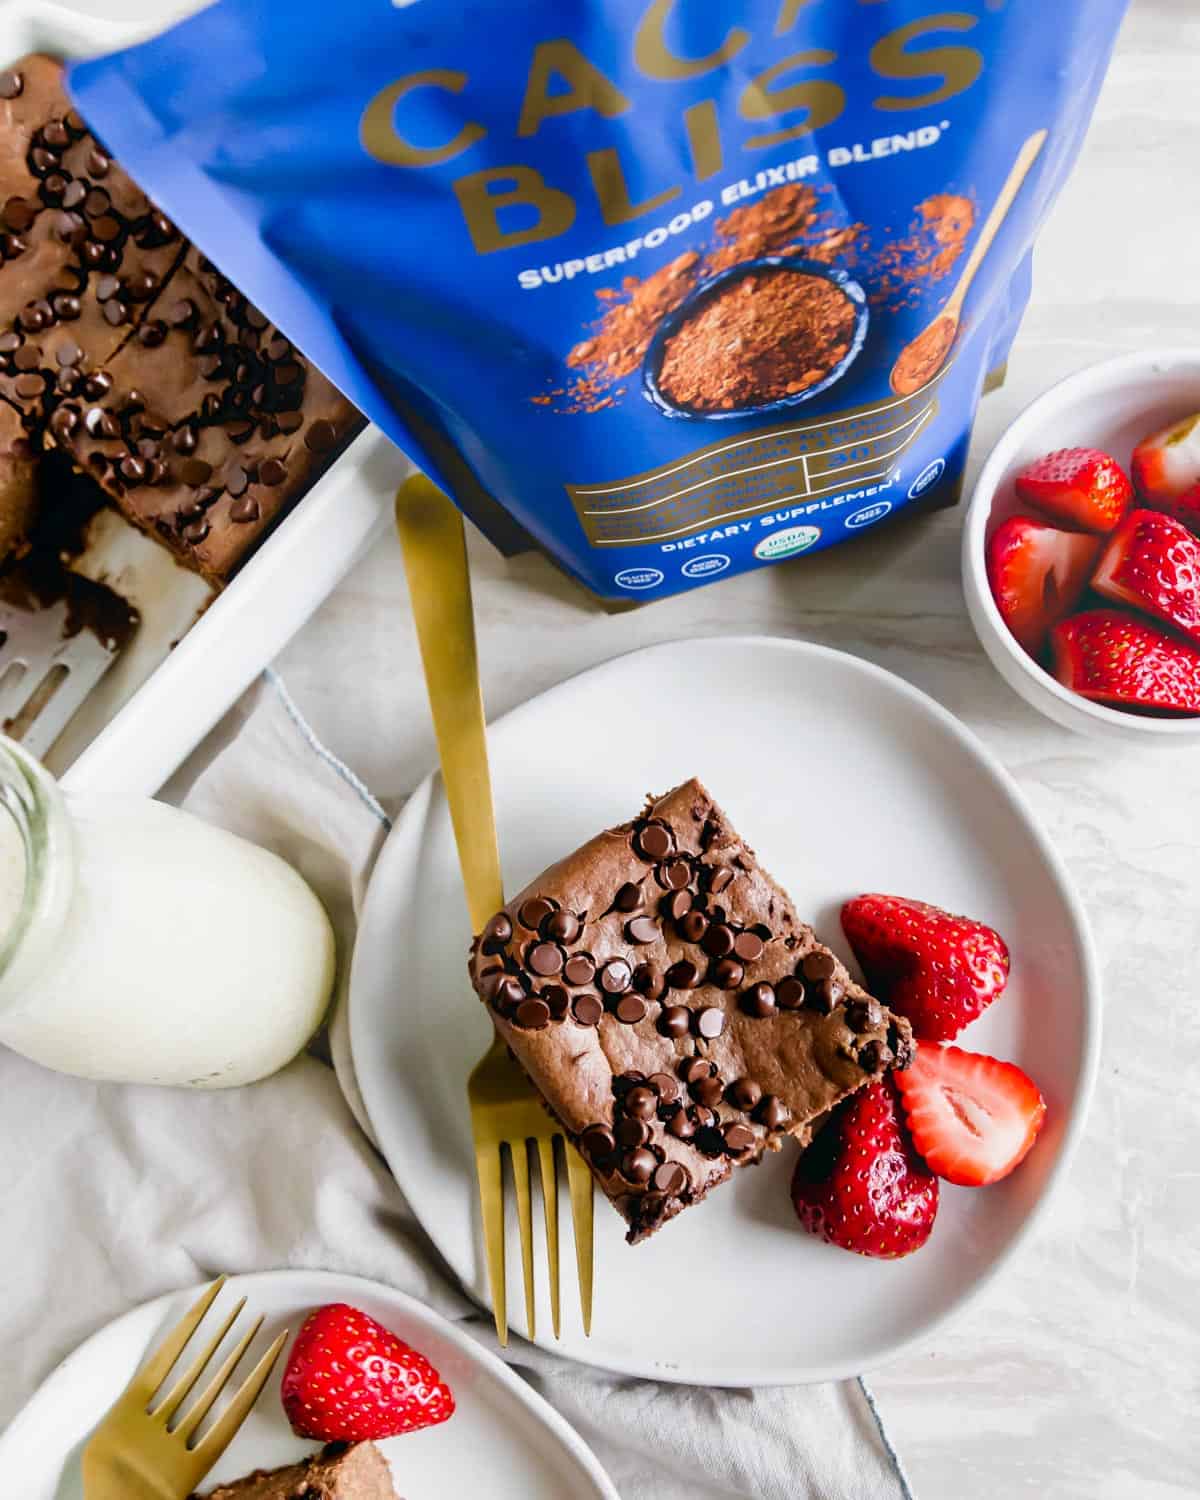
[937, 968]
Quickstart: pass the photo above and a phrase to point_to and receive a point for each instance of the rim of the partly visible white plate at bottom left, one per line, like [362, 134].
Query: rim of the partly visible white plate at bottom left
[343, 1288]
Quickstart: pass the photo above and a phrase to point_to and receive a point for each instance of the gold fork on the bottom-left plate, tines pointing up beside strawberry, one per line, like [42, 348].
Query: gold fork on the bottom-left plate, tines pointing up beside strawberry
[136, 1454]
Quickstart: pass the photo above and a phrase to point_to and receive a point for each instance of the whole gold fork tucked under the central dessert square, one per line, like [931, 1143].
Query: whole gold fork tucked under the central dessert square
[506, 1112]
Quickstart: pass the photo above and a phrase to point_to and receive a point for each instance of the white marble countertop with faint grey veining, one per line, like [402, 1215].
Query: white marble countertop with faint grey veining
[1076, 1375]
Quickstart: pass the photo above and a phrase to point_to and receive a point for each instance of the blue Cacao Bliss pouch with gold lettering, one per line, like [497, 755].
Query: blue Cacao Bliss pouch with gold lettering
[673, 289]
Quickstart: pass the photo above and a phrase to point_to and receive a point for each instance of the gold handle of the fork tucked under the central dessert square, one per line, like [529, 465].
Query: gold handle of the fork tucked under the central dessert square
[434, 550]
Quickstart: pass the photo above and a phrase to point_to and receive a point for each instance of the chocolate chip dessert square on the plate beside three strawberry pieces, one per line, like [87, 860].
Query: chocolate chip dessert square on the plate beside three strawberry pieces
[673, 1010]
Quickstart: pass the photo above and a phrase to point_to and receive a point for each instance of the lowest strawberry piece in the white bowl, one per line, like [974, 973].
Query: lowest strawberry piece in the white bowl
[1120, 659]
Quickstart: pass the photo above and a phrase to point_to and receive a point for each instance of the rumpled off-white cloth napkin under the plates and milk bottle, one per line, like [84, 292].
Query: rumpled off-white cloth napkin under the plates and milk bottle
[116, 1195]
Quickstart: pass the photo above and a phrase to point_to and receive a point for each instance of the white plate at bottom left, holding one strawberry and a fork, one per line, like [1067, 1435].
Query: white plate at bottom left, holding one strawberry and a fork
[503, 1441]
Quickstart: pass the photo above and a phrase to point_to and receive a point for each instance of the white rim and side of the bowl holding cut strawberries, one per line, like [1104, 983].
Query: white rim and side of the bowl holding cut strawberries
[979, 515]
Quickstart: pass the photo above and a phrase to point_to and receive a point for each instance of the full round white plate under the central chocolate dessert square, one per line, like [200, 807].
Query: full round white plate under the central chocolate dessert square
[844, 779]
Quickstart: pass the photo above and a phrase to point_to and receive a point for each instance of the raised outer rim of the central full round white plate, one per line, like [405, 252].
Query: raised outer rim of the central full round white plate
[752, 1375]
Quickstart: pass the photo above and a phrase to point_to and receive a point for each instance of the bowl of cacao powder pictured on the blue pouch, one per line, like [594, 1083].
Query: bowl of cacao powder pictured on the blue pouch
[757, 338]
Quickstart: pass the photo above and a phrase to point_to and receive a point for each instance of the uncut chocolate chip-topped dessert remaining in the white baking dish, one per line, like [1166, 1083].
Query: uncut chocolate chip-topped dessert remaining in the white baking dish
[122, 346]
